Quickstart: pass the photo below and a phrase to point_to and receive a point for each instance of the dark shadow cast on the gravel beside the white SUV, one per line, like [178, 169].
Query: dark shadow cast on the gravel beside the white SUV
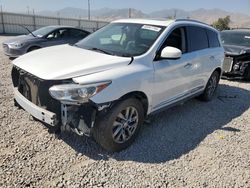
[176, 131]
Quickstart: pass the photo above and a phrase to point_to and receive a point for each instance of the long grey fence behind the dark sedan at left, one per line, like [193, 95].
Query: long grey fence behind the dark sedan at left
[10, 23]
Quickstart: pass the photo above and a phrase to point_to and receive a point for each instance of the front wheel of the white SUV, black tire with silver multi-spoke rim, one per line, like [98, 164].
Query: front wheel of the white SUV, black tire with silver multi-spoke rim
[118, 128]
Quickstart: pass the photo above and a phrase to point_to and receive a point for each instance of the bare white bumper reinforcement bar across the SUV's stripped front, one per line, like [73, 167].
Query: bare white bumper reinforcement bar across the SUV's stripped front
[37, 112]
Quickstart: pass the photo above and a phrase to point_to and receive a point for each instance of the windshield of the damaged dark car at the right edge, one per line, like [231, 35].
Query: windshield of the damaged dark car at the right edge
[236, 38]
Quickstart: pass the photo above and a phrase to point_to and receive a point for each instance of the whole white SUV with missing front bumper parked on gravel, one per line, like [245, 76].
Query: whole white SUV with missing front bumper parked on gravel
[107, 84]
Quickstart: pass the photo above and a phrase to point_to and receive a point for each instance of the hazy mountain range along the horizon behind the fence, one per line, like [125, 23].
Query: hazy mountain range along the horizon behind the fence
[106, 14]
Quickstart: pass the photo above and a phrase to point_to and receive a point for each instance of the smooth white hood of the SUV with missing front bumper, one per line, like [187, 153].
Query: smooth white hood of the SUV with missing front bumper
[65, 61]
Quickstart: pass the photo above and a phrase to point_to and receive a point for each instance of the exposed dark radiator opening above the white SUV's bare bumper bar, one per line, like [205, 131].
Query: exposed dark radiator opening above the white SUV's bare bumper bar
[36, 90]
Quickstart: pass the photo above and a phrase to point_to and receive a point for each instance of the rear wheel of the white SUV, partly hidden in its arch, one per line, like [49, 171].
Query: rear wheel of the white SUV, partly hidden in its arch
[211, 87]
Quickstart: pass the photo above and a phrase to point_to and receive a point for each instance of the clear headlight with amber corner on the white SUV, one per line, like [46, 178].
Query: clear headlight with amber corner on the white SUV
[76, 93]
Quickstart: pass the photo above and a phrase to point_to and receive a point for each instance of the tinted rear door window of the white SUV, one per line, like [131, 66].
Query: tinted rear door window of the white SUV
[197, 38]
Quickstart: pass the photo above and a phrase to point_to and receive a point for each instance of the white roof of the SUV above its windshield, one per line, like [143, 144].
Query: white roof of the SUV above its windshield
[157, 22]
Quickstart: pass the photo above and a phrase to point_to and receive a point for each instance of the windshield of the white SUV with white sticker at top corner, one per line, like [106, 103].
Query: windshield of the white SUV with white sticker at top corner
[122, 39]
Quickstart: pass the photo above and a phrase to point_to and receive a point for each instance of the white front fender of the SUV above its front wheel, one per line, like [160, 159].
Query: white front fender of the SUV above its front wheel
[125, 79]
